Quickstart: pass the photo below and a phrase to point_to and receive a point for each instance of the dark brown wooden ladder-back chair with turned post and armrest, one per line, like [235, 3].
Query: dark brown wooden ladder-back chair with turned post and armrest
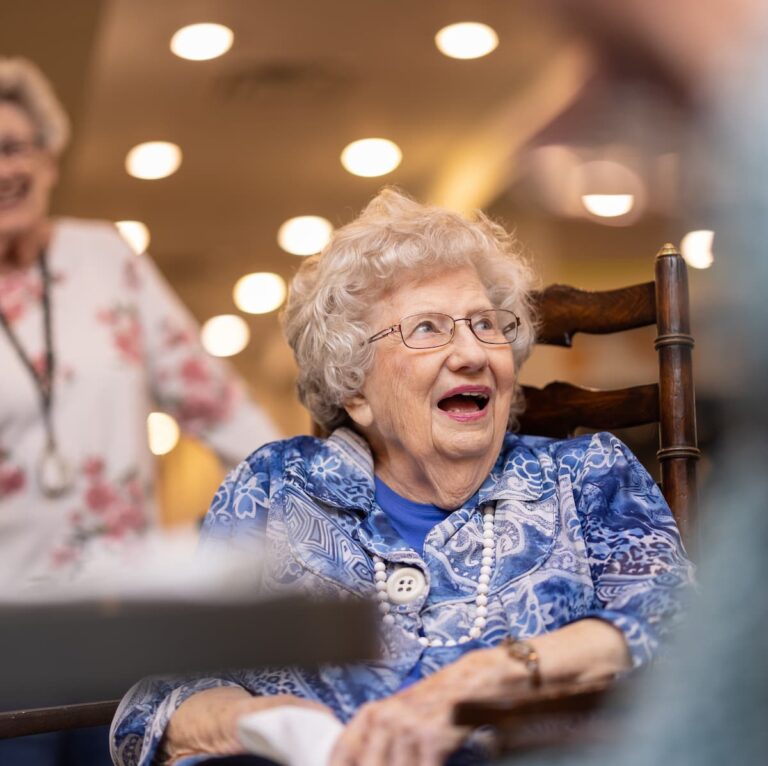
[573, 713]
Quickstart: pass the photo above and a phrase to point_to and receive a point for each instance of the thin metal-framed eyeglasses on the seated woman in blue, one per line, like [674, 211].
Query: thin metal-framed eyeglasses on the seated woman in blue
[494, 326]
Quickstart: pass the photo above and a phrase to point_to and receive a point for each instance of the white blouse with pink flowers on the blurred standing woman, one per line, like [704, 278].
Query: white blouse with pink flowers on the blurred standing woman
[124, 345]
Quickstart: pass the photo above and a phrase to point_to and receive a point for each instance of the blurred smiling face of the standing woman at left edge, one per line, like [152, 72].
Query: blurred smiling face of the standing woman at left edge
[27, 173]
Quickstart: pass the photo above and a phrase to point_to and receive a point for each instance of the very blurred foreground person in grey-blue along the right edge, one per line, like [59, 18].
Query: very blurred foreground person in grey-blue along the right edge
[709, 703]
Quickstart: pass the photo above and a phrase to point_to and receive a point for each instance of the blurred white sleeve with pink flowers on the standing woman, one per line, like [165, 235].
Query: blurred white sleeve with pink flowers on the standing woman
[202, 392]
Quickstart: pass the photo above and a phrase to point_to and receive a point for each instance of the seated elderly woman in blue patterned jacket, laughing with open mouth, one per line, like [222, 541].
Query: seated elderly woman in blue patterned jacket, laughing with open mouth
[500, 562]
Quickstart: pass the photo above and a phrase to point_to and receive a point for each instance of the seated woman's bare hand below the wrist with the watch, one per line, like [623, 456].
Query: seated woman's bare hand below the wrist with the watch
[415, 727]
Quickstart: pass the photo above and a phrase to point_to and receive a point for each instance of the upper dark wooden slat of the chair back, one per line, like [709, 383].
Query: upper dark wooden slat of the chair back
[565, 310]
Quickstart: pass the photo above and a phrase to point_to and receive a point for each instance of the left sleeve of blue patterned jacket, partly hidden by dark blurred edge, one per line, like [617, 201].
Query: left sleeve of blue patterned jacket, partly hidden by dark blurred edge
[238, 509]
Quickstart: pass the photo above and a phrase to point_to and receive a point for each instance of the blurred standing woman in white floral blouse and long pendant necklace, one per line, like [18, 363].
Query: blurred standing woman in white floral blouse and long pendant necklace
[91, 340]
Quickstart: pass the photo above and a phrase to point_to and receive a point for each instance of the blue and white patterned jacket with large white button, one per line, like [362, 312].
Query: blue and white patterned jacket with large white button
[581, 531]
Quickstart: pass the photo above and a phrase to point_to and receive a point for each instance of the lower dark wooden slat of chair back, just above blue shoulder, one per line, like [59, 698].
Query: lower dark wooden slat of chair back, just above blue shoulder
[559, 408]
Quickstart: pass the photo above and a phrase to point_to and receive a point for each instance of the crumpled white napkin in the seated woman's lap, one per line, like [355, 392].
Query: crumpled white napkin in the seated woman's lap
[290, 735]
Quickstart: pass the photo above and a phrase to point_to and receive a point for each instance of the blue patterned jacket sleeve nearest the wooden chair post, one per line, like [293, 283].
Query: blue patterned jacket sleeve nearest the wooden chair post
[642, 576]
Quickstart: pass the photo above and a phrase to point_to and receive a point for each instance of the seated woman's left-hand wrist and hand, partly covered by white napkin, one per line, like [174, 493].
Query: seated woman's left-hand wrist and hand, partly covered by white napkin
[206, 722]
